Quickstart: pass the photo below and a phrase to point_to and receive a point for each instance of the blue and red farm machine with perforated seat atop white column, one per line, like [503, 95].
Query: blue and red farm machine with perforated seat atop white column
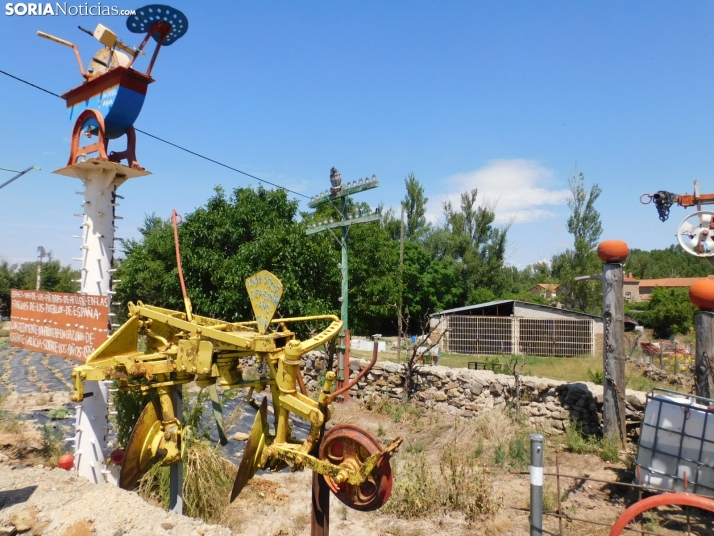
[109, 100]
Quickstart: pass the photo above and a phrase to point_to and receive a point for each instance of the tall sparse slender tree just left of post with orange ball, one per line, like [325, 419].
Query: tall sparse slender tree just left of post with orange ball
[584, 224]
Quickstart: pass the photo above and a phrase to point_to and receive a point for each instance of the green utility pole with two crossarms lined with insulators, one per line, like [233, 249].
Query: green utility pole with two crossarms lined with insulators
[337, 196]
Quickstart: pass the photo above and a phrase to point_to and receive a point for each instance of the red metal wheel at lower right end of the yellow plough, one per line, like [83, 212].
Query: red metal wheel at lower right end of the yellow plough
[348, 446]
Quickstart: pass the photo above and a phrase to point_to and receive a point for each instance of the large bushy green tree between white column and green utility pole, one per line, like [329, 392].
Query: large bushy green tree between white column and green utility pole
[222, 244]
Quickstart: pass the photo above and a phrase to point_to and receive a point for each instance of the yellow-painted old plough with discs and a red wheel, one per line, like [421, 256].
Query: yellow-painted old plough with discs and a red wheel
[183, 347]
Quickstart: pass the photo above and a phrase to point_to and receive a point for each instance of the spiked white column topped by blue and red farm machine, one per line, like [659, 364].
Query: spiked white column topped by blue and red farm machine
[105, 107]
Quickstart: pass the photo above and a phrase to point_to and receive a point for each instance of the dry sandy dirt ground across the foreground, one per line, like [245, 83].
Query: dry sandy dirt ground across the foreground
[61, 503]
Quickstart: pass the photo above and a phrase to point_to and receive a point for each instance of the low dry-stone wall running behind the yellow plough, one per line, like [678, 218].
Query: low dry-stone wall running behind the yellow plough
[549, 404]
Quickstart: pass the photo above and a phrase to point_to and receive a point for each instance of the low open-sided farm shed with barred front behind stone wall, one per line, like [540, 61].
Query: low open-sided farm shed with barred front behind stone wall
[516, 327]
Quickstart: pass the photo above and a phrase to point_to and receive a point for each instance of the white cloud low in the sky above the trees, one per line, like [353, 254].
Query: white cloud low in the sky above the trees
[518, 187]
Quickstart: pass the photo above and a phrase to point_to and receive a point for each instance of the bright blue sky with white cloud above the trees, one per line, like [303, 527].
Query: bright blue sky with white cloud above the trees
[506, 97]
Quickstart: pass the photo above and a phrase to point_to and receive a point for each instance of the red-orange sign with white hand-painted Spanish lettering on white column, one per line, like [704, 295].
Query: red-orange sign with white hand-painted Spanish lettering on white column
[67, 325]
